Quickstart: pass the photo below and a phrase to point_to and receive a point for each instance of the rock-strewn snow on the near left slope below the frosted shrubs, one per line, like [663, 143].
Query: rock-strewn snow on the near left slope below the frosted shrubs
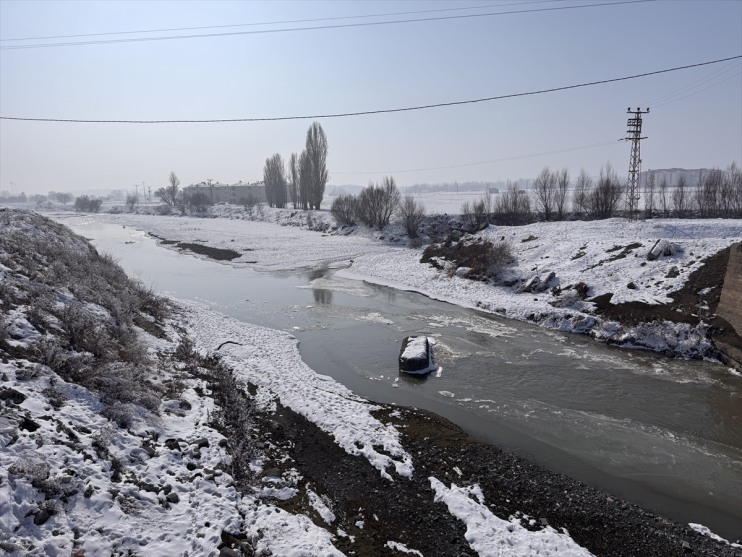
[161, 508]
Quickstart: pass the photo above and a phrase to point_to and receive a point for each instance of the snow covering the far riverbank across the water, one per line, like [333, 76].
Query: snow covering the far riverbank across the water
[602, 254]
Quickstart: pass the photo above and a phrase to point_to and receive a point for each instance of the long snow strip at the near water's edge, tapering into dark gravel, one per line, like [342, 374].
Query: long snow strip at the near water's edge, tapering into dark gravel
[270, 359]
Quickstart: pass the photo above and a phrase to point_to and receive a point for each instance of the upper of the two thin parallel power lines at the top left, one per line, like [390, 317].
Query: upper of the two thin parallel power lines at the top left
[284, 22]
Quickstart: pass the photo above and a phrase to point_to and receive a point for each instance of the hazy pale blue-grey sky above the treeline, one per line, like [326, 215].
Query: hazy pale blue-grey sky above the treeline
[695, 119]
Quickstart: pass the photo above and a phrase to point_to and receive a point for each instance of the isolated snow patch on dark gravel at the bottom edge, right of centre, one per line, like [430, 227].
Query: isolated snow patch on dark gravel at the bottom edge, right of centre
[491, 536]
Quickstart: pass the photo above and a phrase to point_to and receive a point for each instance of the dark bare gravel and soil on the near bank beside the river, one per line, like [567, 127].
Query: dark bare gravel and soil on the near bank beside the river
[371, 510]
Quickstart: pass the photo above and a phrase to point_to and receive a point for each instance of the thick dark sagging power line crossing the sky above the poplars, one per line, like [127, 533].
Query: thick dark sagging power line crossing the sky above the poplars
[379, 111]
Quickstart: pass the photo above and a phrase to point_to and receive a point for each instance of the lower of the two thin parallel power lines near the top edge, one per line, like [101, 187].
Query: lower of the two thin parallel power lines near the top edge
[321, 27]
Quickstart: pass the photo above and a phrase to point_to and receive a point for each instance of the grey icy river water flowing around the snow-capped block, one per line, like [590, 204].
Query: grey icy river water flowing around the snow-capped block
[665, 434]
